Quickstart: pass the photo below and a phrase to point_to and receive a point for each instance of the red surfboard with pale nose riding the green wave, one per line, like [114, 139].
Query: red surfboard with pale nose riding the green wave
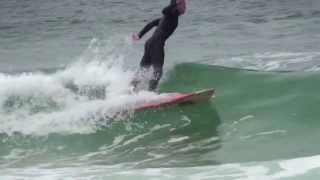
[175, 99]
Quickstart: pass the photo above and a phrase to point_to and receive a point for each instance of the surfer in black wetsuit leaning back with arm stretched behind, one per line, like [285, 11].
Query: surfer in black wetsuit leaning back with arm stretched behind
[154, 46]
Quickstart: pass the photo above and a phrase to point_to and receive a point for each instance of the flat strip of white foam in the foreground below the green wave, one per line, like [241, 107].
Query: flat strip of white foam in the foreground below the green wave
[273, 170]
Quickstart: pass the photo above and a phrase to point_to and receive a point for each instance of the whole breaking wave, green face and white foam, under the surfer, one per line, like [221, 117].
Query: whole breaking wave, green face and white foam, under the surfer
[57, 123]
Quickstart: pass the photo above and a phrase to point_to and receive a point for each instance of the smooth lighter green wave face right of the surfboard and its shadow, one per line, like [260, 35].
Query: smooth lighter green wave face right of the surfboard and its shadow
[264, 115]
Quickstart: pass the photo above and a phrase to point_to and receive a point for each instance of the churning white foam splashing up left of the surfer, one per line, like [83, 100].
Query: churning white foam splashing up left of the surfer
[81, 98]
